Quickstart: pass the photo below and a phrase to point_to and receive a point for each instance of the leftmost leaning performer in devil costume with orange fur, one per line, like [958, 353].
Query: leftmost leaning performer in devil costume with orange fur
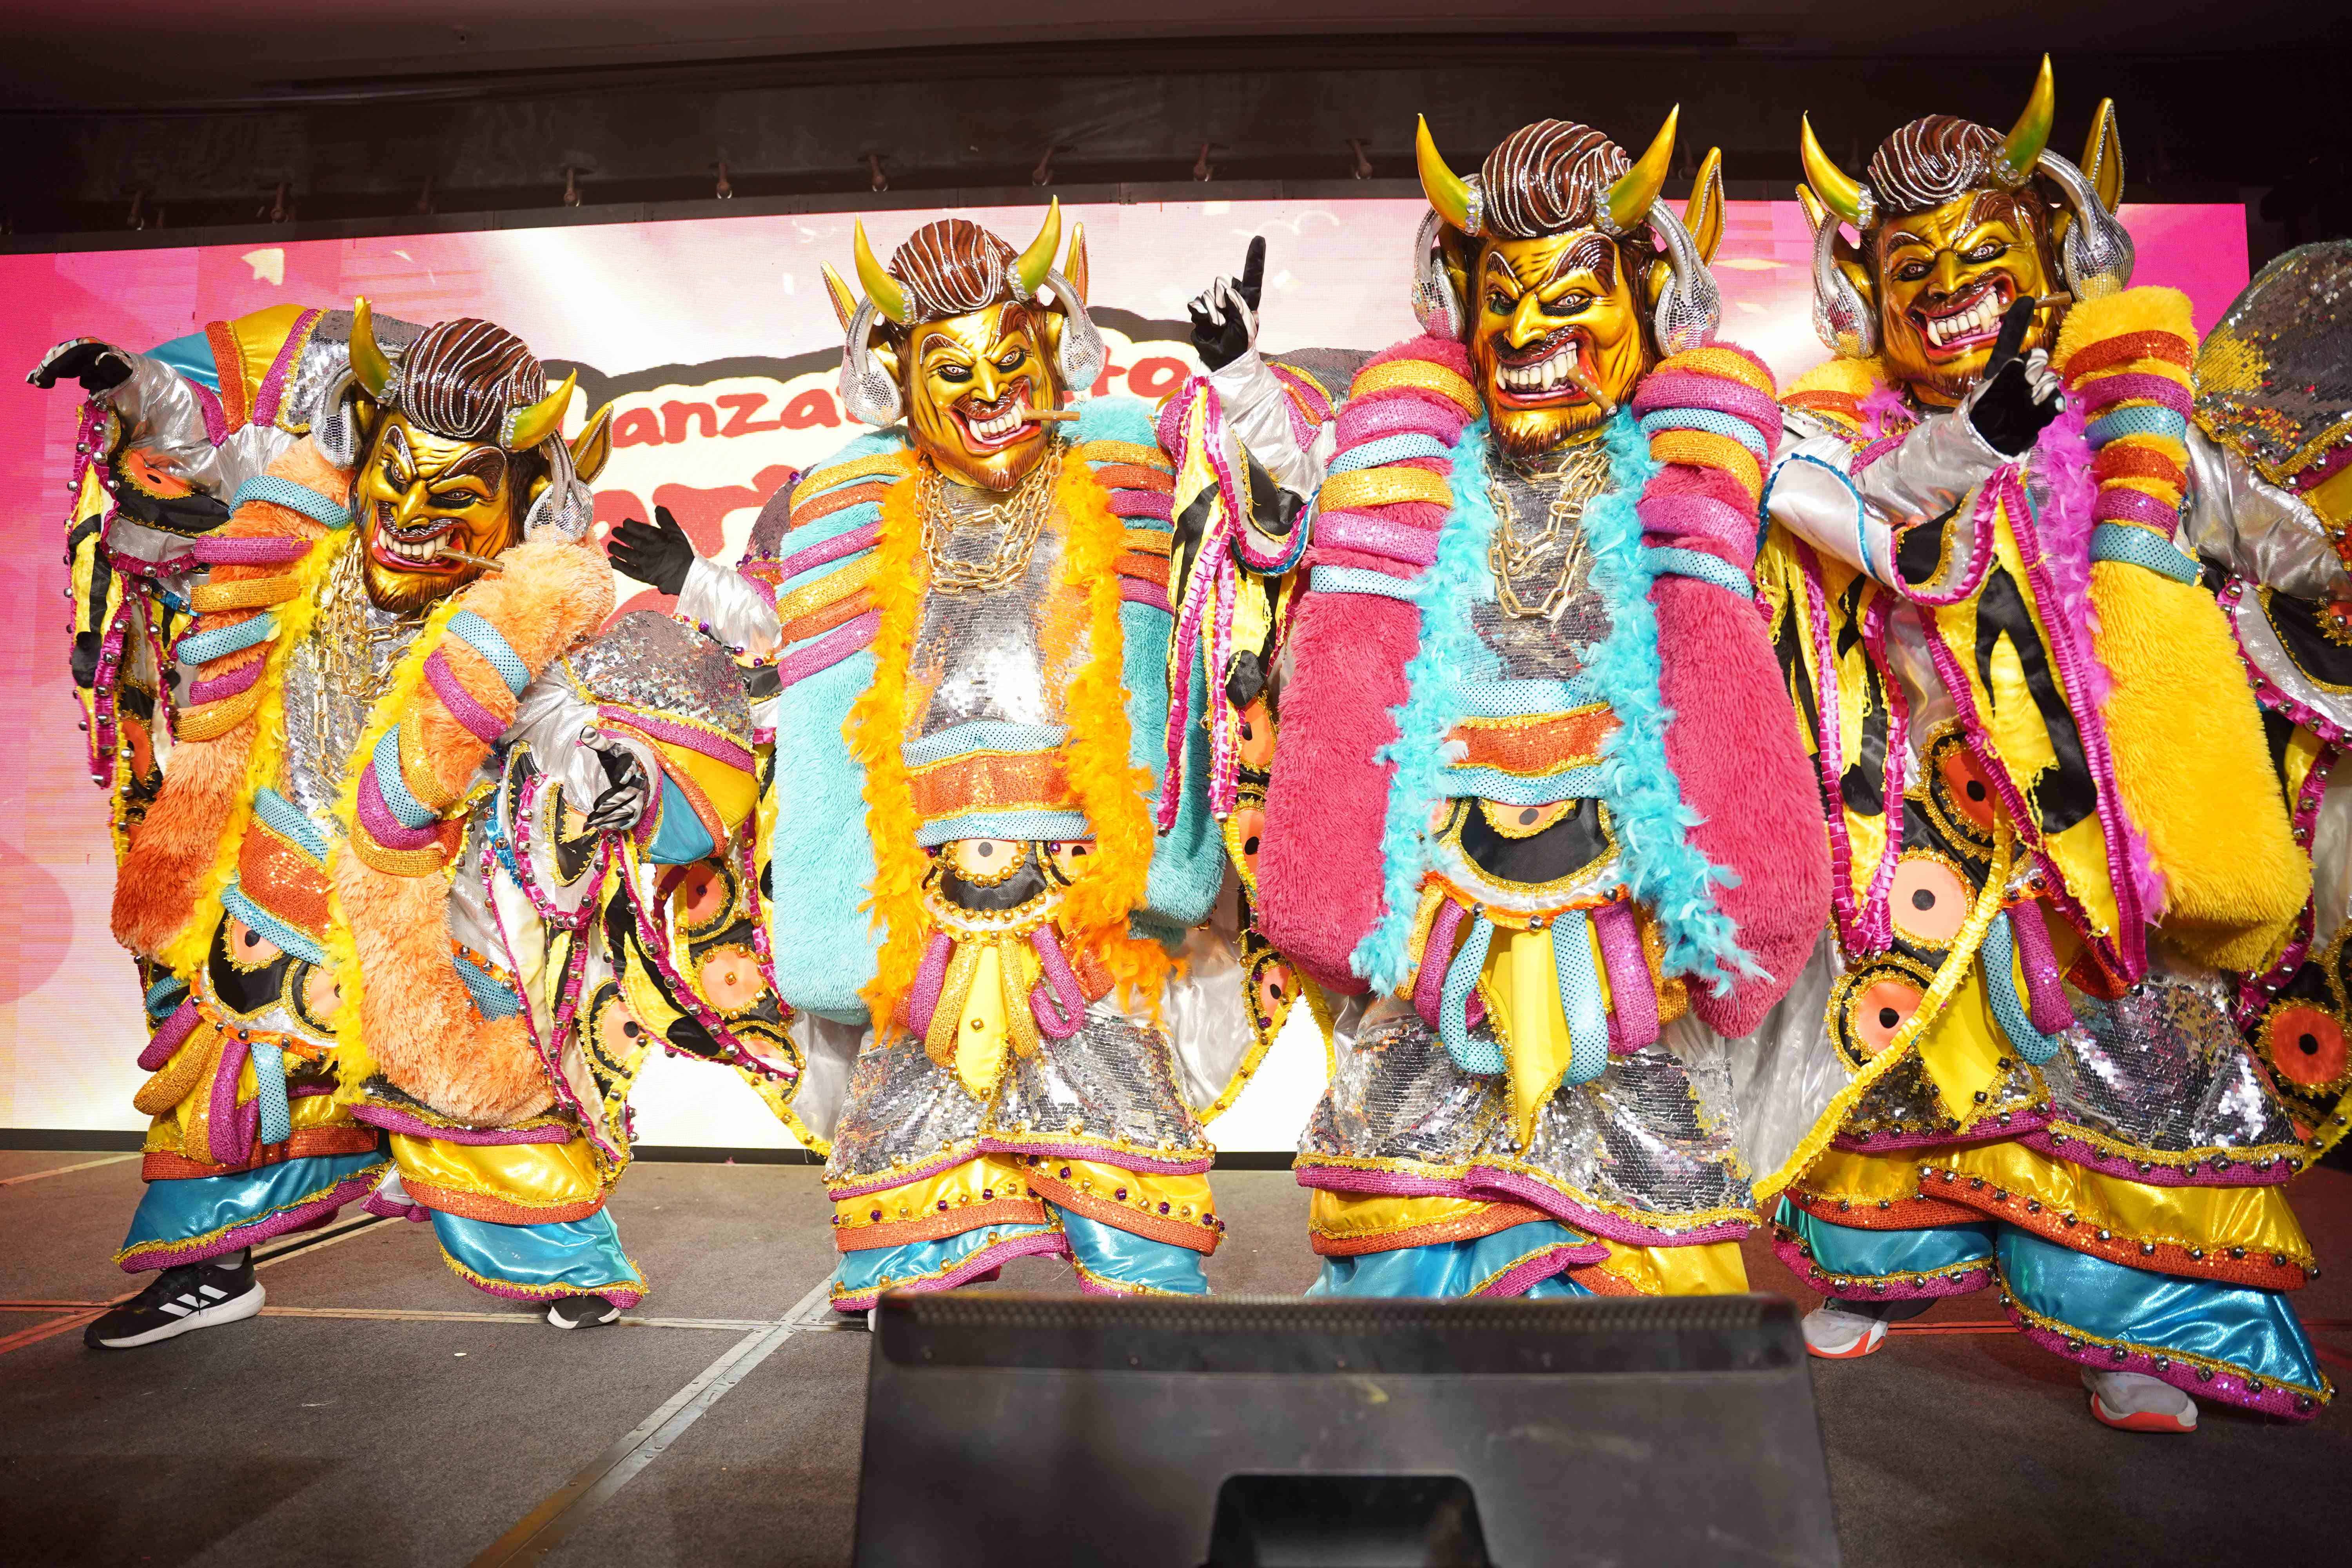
[389, 765]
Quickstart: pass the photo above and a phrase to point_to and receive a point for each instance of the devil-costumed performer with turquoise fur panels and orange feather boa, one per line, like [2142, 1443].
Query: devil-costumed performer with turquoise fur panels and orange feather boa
[970, 631]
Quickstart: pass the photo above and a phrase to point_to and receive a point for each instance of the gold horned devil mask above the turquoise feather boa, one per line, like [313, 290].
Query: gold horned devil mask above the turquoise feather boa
[1553, 262]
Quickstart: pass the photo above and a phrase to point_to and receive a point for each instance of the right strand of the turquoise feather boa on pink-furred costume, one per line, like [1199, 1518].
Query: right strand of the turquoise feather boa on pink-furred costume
[1645, 800]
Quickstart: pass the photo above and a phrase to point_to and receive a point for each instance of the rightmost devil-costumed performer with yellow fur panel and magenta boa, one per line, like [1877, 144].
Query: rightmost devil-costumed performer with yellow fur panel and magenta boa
[2054, 819]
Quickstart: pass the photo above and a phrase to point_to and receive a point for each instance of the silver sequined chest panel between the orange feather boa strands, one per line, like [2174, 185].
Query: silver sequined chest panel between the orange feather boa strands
[980, 652]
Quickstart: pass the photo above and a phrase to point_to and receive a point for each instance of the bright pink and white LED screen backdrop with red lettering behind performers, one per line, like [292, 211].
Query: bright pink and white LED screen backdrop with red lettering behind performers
[719, 347]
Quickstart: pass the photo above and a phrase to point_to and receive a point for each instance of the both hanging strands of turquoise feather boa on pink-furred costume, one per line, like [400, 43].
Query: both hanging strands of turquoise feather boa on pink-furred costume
[1638, 786]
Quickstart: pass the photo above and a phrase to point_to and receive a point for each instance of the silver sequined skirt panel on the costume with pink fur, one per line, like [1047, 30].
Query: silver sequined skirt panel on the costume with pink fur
[1652, 1134]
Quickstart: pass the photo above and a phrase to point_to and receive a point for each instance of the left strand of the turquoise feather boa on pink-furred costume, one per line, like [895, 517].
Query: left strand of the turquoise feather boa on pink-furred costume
[1429, 713]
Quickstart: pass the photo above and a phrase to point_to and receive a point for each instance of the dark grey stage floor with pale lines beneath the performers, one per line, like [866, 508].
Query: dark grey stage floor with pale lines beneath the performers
[385, 1414]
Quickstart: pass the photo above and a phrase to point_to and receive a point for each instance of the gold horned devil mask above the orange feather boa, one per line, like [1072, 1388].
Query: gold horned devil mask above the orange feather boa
[954, 337]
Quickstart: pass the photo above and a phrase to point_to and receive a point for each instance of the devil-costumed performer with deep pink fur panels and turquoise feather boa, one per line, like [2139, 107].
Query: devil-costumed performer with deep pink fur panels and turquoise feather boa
[1539, 789]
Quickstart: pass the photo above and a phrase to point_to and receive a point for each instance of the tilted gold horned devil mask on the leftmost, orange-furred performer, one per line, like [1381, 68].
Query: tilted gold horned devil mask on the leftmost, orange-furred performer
[455, 455]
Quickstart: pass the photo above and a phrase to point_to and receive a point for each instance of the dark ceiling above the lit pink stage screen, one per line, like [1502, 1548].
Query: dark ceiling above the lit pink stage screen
[361, 112]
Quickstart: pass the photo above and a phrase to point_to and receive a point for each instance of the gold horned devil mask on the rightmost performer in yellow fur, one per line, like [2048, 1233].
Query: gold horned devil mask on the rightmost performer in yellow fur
[1953, 234]
